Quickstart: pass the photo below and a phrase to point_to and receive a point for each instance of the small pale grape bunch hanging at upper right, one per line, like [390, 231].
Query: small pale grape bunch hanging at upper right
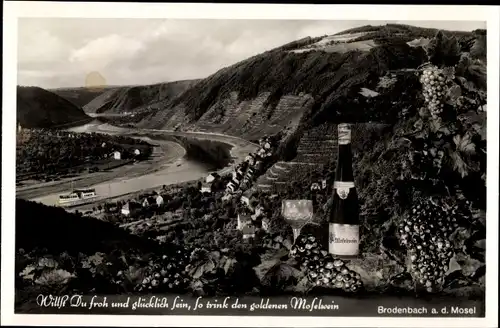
[434, 89]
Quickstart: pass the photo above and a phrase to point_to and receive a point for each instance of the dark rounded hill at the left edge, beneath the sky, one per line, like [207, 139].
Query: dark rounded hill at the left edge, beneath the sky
[39, 108]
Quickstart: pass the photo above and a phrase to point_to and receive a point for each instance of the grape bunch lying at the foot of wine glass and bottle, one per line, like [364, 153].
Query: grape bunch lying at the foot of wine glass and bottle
[323, 270]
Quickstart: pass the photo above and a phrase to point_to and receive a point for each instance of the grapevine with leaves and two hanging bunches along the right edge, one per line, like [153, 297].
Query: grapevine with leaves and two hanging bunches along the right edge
[446, 153]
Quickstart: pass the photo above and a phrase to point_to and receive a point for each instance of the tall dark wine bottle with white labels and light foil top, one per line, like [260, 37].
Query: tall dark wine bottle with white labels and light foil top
[343, 234]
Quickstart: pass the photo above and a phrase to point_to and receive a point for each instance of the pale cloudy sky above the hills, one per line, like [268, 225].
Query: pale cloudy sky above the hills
[61, 52]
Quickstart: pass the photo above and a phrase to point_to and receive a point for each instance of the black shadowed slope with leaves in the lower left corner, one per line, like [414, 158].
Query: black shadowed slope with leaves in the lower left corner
[54, 247]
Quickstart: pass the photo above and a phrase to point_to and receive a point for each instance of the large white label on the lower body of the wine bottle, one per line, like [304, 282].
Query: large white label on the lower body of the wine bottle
[343, 239]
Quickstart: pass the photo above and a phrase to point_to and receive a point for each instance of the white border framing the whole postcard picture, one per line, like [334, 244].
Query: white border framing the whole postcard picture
[14, 10]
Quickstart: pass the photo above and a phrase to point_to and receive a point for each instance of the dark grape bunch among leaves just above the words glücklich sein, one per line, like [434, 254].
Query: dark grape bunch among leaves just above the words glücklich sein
[166, 273]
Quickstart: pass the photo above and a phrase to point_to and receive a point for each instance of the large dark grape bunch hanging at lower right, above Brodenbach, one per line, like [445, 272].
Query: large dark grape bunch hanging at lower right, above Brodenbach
[426, 235]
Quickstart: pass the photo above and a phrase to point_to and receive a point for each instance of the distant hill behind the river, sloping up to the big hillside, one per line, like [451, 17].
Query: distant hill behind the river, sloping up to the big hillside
[136, 98]
